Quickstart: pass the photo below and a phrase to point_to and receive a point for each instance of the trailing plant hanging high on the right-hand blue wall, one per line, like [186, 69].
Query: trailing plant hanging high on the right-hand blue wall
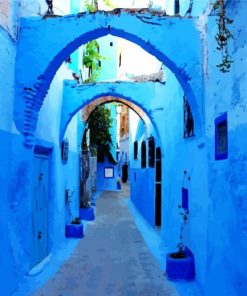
[223, 35]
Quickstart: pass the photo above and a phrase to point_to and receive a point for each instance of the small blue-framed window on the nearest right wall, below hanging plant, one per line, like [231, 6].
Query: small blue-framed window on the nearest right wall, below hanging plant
[221, 137]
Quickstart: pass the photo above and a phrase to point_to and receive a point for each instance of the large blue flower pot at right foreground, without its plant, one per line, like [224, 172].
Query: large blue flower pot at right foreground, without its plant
[180, 268]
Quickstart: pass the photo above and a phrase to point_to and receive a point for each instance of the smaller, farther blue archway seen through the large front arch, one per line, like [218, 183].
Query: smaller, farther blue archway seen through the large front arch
[77, 97]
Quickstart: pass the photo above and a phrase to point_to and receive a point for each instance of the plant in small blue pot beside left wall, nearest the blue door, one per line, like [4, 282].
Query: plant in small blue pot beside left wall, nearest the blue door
[73, 229]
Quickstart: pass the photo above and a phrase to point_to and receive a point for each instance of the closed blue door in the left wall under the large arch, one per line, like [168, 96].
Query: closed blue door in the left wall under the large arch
[39, 210]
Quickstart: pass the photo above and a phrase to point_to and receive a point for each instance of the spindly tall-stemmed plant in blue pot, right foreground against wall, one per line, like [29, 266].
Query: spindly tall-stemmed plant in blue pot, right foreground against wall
[180, 265]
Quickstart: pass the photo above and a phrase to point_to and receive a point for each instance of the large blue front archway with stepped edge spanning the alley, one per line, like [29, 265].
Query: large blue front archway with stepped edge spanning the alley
[53, 40]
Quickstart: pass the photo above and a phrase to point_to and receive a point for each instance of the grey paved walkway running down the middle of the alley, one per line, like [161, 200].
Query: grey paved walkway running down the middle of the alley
[112, 259]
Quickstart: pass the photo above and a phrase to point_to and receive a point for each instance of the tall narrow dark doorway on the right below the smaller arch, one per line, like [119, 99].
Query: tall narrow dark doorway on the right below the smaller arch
[158, 187]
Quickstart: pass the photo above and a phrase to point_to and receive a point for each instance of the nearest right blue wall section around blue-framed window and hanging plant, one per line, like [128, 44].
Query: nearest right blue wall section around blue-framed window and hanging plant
[227, 214]
